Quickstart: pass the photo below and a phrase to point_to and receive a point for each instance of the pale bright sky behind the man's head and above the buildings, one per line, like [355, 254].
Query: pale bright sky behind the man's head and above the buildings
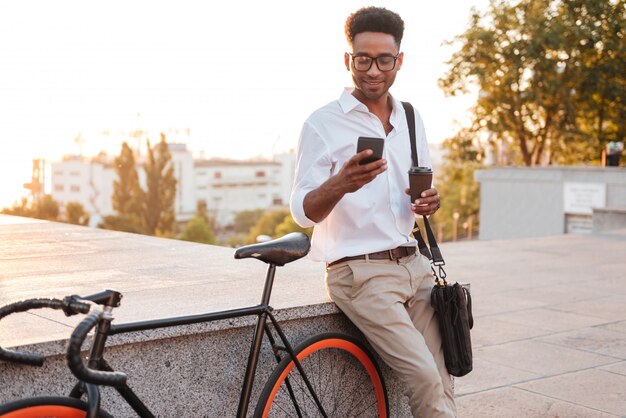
[232, 79]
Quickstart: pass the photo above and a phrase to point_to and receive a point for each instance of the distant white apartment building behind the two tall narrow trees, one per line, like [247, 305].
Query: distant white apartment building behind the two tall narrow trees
[227, 186]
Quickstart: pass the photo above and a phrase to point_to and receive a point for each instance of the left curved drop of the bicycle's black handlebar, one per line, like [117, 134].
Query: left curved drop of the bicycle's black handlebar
[69, 305]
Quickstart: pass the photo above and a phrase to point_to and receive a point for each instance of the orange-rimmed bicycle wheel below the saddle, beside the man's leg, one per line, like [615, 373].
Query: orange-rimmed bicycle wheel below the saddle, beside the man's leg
[343, 374]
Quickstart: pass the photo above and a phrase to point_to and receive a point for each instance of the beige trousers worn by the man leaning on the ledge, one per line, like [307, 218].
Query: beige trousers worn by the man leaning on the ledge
[389, 301]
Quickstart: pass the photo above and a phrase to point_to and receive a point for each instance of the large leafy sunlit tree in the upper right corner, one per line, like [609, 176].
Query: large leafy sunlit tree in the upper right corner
[551, 75]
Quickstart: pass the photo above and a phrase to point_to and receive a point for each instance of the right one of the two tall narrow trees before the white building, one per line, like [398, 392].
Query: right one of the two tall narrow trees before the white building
[159, 215]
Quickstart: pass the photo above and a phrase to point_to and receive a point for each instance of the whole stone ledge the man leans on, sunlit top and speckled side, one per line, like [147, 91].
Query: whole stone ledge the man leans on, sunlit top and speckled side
[193, 370]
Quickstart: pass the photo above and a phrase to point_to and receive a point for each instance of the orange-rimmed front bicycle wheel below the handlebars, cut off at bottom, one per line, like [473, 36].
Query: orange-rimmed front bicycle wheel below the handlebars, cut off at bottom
[47, 406]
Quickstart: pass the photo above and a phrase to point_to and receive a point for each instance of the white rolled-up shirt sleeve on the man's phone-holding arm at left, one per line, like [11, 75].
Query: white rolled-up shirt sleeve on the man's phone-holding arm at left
[313, 167]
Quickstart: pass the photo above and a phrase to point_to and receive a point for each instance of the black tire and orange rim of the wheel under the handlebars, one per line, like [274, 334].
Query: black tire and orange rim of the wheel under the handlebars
[9, 409]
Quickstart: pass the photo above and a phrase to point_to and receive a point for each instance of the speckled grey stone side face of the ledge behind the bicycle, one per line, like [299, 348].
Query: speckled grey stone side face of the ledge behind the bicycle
[196, 374]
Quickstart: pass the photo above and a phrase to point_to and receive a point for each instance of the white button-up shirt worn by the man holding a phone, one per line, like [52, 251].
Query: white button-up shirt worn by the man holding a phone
[376, 217]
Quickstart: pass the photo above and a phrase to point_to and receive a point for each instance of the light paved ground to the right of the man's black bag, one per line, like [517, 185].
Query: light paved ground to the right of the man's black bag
[550, 326]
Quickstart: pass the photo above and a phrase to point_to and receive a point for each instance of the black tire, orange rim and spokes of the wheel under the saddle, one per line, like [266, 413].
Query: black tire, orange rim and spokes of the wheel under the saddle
[276, 381]
